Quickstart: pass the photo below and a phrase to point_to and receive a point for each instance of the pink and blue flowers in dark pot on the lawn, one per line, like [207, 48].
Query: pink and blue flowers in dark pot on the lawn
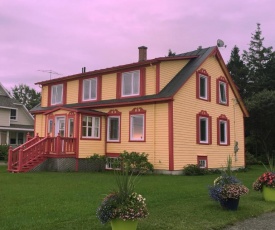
[227, 189]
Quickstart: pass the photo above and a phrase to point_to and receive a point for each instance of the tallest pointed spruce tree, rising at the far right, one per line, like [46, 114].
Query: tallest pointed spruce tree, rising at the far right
[256, 59]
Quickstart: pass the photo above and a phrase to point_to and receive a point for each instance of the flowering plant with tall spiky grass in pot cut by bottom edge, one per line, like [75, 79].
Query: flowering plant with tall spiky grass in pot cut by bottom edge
[123, 207]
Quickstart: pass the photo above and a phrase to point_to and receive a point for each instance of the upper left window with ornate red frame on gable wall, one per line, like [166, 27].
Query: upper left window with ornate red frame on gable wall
[203, 85]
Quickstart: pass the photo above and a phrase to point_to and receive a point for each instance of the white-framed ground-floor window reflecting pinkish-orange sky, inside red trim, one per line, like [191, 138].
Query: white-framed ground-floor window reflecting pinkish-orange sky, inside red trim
[137, 127]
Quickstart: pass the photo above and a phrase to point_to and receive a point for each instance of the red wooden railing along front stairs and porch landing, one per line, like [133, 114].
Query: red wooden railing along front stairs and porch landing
[37, 147]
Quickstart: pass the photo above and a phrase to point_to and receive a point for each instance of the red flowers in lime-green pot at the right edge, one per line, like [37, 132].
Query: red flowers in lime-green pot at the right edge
[266, 182]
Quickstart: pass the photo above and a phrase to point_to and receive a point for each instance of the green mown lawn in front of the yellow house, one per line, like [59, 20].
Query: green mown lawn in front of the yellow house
[51, 200]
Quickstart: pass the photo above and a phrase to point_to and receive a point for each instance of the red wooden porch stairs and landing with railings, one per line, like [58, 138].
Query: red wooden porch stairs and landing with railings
[38, 149]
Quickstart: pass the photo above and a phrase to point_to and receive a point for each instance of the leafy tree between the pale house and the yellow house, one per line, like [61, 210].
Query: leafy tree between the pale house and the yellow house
[26, 95]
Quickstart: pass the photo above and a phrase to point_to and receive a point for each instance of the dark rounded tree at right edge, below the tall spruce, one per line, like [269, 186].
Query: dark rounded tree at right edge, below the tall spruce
[261, 123]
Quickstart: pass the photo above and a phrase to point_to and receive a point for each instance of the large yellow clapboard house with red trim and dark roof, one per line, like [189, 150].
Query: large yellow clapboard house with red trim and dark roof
[180, 110]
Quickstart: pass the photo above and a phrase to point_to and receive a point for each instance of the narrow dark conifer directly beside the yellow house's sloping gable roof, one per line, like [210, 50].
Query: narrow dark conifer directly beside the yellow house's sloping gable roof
[238, 71]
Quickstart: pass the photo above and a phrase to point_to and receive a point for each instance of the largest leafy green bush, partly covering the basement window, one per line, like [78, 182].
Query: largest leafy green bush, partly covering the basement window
[135, 162]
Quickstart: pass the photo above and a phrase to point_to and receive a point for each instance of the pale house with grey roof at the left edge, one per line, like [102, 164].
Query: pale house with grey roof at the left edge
[15, 120]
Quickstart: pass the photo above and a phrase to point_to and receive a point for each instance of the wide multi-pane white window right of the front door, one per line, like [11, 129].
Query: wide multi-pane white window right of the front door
[90, 127]
